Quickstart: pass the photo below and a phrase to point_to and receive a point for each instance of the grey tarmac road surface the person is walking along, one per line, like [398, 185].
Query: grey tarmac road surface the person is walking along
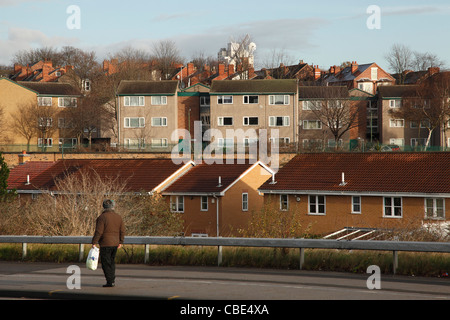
[52, 281]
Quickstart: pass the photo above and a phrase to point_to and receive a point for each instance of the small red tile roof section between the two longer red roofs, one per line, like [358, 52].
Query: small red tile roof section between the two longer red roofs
[204, 178]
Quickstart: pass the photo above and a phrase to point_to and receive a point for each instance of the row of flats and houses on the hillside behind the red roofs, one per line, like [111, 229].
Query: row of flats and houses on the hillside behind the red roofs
[156, 115]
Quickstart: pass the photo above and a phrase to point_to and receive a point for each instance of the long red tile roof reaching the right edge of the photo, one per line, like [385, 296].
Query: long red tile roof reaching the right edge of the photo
[423, 173]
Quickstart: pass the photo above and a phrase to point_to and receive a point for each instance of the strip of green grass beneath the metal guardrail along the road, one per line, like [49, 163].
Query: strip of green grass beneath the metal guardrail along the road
[409, 263]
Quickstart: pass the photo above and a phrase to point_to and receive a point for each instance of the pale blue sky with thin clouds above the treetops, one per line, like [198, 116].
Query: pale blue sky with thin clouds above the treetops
[323, 33]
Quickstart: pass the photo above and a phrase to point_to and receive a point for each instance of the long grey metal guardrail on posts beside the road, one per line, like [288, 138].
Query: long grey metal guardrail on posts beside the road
[394, 246]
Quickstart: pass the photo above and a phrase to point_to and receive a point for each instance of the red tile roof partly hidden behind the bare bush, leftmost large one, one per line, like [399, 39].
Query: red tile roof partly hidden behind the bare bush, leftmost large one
[137, 174]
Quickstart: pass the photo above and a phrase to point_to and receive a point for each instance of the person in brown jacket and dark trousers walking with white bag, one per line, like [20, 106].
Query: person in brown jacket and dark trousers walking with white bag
[109, 234]
